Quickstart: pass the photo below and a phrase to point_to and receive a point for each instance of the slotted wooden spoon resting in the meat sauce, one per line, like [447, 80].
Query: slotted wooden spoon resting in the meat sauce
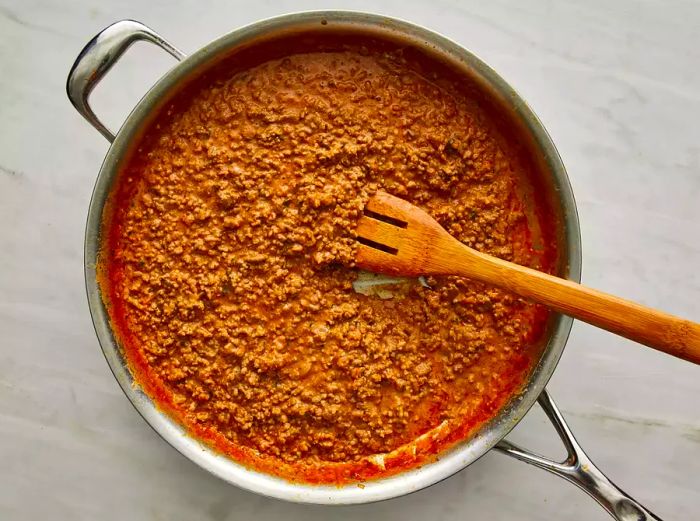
[398, 238]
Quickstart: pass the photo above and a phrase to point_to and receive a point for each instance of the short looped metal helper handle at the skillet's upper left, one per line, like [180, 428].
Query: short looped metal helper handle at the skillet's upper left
[98, 57]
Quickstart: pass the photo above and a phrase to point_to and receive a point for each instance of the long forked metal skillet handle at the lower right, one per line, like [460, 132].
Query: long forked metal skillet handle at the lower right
[578, 469]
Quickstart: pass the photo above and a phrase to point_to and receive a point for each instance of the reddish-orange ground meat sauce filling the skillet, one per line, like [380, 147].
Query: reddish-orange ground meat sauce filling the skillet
[228, 261]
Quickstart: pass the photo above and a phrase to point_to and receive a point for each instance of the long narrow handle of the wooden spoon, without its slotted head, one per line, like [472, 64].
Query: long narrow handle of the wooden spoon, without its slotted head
[667, 333]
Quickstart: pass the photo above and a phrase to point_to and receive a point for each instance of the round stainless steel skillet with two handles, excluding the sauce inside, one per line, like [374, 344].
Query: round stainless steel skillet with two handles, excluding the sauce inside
[102, 52]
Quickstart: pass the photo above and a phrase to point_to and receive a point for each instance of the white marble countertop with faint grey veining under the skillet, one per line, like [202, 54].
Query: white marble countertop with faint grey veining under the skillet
[617, 84]
